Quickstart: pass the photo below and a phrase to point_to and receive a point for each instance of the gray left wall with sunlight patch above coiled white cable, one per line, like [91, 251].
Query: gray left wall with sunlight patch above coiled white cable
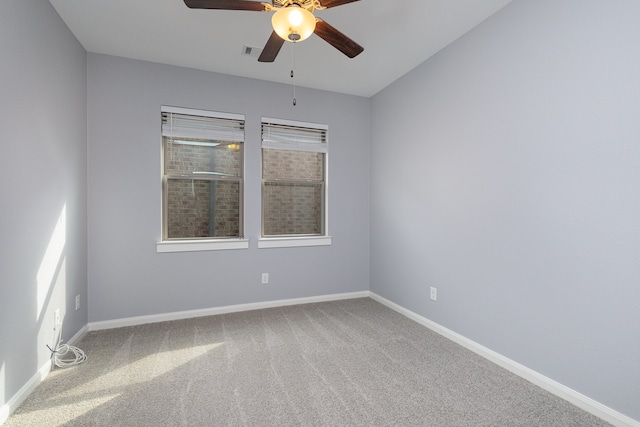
[43, 265]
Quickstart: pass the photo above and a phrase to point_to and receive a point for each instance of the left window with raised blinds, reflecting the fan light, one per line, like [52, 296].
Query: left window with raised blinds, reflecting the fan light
[202, 183]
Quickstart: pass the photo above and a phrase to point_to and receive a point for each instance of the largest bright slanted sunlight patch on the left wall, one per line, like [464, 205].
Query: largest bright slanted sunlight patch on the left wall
[51, 261]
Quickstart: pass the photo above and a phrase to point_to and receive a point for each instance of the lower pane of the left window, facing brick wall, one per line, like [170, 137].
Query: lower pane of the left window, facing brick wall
[199, 208]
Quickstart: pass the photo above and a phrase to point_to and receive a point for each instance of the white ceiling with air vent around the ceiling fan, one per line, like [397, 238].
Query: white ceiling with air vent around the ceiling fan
[397, 36]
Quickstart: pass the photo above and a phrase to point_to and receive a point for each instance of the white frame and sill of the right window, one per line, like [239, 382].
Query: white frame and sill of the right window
[298, 241]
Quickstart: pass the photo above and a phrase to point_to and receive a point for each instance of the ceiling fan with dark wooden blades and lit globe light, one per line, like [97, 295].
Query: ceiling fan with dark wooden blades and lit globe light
[293, 21]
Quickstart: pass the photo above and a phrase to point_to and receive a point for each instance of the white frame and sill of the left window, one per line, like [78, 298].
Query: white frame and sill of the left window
[206, 244]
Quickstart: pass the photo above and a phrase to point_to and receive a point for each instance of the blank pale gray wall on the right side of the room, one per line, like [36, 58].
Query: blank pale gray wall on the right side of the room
[518, 153]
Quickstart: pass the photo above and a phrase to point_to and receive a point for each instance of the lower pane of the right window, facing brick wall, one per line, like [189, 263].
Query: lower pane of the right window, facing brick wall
[292, 208]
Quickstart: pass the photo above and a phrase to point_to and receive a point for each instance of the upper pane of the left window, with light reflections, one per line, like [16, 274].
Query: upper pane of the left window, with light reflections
[190, 156]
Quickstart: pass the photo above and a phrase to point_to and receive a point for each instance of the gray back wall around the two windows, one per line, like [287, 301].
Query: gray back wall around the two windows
[126, 275]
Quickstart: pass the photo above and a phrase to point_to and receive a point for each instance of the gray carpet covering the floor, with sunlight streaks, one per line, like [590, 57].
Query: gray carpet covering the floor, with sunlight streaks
[342, 363]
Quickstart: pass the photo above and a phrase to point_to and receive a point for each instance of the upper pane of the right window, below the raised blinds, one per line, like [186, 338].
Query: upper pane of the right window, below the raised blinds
[292, 165]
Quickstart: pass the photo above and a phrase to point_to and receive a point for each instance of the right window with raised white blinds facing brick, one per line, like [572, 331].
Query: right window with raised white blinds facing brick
[294, 181]
